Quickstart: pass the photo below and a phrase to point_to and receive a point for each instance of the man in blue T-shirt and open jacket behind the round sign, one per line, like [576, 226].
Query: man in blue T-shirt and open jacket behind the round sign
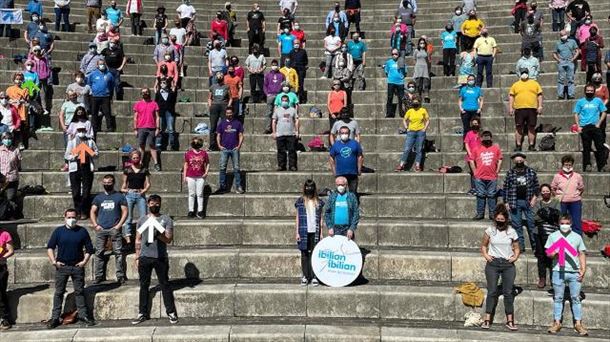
[342, 212]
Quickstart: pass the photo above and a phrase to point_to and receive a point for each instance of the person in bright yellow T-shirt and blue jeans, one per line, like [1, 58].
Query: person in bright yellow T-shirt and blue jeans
[416, 123]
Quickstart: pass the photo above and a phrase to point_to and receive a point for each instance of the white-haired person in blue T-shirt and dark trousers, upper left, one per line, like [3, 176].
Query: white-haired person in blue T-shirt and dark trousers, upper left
[101, 82]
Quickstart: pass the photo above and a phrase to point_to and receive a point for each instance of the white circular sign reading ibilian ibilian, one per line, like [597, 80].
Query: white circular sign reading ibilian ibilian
[336, 261]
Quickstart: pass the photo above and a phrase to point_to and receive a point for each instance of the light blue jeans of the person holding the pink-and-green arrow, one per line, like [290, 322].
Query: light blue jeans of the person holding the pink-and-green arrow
[559, 279]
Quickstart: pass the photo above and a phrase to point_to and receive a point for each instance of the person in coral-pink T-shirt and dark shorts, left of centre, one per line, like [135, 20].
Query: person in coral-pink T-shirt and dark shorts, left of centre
[146, 125]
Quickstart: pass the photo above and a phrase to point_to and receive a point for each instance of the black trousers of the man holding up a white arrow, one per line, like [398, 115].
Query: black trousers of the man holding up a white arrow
[161, 266]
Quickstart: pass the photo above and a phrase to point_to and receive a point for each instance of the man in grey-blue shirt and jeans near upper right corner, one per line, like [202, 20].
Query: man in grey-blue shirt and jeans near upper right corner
[566, 52]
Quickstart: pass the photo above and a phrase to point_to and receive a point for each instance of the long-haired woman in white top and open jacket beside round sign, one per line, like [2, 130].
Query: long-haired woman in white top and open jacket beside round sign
[309, 211]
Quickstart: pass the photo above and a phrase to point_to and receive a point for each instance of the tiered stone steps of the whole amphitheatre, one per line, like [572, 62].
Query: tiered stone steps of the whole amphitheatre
[236, 273]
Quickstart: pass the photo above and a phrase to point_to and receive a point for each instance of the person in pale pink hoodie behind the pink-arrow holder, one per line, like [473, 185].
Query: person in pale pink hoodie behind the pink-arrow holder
[568, 187]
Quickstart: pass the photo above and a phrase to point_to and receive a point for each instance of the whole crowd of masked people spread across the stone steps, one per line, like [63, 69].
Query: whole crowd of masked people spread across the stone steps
[468, 53]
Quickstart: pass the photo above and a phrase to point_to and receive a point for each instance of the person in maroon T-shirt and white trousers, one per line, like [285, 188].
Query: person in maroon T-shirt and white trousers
[194, 173]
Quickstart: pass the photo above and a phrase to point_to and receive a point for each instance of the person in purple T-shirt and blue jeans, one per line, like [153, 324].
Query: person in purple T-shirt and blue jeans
[229, 137]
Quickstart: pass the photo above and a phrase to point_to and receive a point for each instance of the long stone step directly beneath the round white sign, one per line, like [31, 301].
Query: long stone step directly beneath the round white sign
[375, 302]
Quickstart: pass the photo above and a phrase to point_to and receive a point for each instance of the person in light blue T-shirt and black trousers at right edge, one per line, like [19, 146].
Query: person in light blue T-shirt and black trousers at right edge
[589, 113]
